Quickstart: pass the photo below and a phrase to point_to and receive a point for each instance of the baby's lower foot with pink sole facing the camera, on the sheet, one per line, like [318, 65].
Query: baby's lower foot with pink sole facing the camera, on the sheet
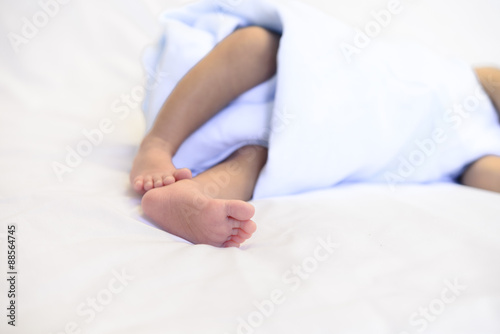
[183, 210]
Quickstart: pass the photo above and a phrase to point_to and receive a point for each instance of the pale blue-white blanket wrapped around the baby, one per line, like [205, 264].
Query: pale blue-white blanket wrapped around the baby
[344, 110]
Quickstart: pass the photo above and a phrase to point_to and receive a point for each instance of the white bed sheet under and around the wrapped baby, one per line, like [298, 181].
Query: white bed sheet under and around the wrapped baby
[357, 258]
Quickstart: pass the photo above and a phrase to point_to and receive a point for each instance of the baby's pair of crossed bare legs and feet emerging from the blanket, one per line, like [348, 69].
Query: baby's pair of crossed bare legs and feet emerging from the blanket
[210, 208]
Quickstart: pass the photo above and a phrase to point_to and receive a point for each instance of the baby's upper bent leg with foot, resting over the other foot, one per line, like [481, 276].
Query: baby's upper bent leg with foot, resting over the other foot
[243, 60]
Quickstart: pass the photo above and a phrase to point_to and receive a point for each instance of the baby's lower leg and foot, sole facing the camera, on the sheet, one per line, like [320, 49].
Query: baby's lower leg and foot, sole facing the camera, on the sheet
[211, 208]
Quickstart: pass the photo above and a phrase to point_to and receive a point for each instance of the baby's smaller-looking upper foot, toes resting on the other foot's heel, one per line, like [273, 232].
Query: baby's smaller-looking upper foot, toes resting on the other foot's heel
[153, 167]
